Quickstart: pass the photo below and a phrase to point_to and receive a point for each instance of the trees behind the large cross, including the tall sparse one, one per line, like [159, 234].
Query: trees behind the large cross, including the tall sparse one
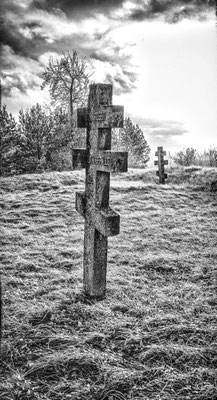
[44, 136]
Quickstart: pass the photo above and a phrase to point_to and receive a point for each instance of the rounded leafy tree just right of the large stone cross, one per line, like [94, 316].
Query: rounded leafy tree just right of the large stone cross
[131, 139]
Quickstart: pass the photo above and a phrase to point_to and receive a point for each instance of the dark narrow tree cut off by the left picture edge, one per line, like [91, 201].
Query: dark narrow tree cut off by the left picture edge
[8, 142]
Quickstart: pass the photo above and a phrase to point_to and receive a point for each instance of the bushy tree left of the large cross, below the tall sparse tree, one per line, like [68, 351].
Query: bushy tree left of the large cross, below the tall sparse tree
[42, 133]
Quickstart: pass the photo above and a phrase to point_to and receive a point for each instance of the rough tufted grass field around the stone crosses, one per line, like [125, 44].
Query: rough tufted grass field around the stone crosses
[154, 335]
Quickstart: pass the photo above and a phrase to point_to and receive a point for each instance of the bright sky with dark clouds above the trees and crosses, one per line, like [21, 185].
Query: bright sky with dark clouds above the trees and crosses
[160, 56]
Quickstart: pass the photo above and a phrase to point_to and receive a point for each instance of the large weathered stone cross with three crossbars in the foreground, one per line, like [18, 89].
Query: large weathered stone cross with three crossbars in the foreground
[93, 204]
